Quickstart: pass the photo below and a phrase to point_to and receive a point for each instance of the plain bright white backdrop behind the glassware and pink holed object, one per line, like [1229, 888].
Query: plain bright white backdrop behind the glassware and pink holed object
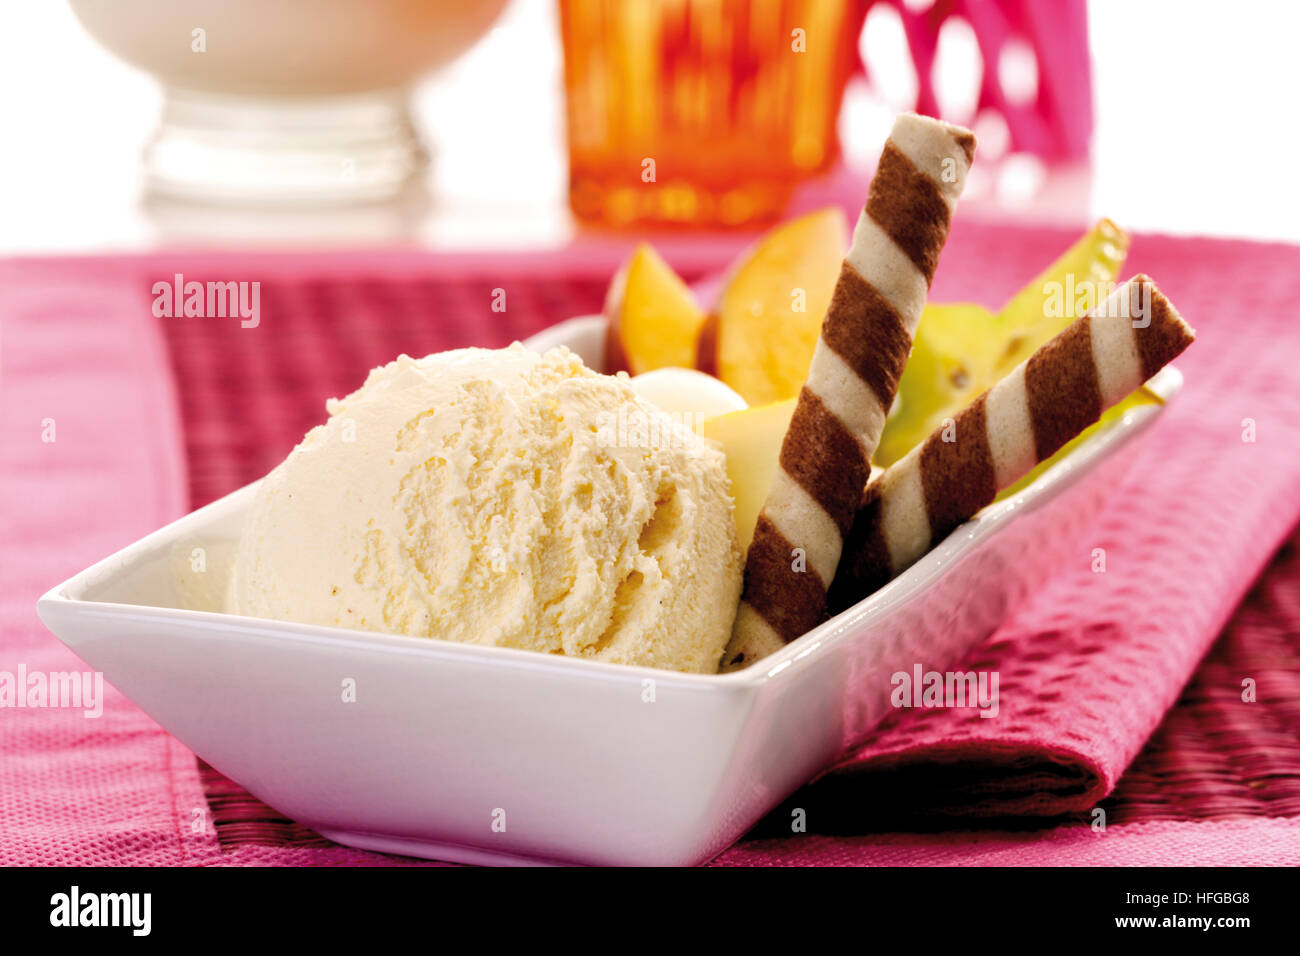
[1197, 133]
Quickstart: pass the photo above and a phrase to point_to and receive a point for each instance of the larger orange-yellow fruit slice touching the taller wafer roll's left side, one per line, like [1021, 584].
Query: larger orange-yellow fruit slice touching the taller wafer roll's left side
[769, 315]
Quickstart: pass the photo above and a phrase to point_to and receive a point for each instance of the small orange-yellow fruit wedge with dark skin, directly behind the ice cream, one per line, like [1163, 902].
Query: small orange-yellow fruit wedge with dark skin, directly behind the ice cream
[653, 318]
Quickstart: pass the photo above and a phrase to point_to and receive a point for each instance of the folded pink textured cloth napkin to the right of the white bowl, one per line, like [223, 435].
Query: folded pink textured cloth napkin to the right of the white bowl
[1093, 664]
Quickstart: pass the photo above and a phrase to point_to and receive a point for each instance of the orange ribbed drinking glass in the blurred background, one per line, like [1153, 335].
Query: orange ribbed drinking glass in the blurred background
[701, 113]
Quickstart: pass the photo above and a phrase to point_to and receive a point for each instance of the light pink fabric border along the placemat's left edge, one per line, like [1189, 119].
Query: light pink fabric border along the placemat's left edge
[92, 461]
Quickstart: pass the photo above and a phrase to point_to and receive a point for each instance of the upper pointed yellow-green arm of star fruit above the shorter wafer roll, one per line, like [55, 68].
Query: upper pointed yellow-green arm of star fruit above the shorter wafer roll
[1071, 288]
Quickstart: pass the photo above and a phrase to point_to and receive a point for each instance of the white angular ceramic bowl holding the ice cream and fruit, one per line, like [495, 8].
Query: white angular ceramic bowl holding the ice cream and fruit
[583, 762]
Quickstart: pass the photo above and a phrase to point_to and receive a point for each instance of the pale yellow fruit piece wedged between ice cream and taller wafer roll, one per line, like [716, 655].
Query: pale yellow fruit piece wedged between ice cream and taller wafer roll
[752, 440]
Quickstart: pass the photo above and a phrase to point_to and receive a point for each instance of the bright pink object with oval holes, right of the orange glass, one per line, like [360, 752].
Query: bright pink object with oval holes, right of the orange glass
[1056, 123]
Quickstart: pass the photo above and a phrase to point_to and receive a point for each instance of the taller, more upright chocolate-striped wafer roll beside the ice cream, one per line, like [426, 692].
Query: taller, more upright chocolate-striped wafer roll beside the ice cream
[866, 338]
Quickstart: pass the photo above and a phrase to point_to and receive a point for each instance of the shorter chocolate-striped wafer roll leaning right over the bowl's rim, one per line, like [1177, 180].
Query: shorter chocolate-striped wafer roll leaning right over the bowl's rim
[1004, 434]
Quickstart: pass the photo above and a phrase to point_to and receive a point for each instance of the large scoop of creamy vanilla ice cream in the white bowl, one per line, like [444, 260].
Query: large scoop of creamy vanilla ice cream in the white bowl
[506, 499]
